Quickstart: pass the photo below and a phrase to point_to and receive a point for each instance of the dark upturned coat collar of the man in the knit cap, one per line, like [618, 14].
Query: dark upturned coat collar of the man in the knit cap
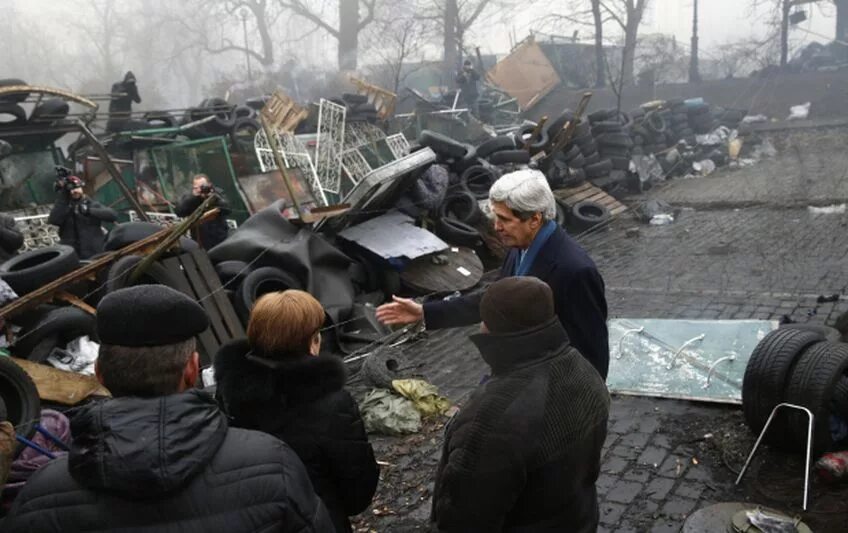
[511, 351]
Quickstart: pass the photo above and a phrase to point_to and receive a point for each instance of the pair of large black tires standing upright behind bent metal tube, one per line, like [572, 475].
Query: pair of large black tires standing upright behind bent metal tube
[801, 365]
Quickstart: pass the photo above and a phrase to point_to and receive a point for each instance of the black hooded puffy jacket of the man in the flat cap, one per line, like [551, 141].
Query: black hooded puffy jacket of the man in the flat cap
[168, 464]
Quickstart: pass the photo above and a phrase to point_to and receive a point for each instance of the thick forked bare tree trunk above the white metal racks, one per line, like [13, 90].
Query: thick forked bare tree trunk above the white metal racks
[350, 23]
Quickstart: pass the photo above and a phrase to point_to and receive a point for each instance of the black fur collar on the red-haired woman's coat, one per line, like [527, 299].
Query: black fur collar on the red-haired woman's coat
[293, 381]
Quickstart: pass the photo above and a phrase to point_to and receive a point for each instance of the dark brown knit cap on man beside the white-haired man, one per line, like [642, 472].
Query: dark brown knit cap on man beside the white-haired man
[516, 304]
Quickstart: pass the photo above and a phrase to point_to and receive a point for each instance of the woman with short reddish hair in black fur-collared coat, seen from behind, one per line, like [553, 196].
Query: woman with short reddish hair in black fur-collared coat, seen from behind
[274, 381]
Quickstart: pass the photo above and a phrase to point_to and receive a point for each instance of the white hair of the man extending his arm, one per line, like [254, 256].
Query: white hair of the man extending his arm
[525, 192]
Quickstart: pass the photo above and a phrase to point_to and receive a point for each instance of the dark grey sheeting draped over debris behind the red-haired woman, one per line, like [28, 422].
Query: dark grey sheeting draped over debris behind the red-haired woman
[268, 239]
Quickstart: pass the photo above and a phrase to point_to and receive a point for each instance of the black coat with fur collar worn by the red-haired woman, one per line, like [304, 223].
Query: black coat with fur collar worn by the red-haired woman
[302, 401]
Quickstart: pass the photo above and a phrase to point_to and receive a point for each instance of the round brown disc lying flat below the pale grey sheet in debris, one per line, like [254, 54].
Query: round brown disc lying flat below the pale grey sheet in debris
[455, 269]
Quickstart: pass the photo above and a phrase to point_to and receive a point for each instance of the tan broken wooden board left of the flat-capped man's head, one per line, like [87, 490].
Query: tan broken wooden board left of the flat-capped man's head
[61, 386]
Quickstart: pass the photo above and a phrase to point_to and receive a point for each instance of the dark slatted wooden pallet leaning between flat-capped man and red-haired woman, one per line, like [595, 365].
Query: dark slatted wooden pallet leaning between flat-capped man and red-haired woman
[195, 276]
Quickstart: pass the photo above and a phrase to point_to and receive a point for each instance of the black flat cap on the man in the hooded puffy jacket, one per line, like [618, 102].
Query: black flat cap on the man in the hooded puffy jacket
[149, 315]
